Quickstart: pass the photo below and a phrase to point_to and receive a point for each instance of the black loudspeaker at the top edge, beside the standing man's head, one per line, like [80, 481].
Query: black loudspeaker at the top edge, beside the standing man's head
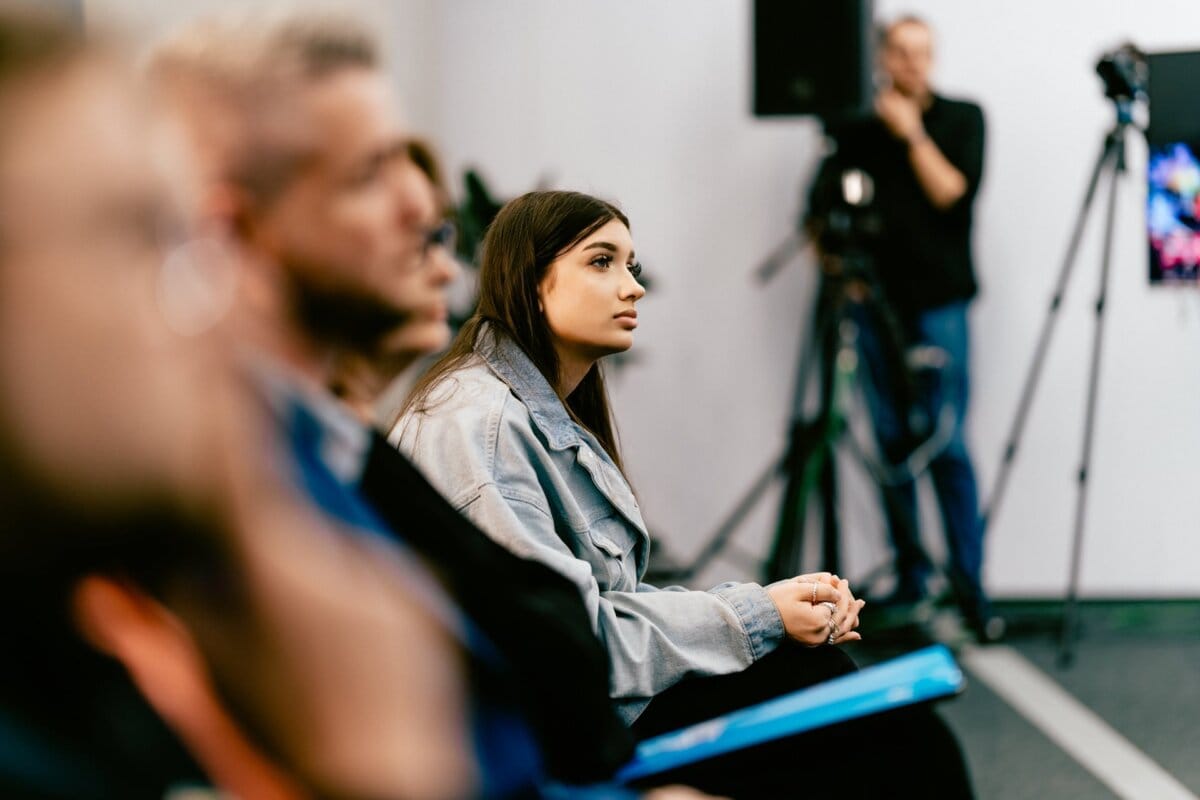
[813, 57]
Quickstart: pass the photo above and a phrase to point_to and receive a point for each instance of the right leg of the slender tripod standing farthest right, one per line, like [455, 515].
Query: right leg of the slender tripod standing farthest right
[1071, 607]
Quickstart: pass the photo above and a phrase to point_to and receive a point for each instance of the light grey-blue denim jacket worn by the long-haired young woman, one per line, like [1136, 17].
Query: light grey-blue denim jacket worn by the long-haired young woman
[500, 444]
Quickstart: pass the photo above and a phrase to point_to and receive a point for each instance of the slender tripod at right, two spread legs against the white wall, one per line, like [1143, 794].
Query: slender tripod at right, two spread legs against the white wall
[1113, 160]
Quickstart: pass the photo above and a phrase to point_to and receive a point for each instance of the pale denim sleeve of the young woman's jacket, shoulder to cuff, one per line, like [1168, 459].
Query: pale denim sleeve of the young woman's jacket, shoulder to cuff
[497, 472]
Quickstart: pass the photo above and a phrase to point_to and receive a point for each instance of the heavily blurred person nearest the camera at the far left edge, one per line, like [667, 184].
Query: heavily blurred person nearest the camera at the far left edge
[145, 520]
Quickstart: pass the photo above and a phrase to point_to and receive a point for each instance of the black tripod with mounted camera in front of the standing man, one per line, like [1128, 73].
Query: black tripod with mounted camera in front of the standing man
[844, 227]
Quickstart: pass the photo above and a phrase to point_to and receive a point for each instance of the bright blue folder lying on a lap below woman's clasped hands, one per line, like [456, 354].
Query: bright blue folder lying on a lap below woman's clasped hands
[926, 675]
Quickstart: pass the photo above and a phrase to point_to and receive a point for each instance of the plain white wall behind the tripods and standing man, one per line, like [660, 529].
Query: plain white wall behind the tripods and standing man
[647, 104]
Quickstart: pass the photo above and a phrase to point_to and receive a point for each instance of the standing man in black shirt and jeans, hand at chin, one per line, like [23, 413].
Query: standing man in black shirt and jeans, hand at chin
[926, 155]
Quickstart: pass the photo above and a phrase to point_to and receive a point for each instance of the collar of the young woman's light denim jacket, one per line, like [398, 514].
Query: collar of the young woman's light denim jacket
[514, 368]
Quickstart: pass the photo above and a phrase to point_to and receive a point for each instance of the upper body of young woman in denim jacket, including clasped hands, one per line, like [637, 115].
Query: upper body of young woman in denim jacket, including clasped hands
[514, 426]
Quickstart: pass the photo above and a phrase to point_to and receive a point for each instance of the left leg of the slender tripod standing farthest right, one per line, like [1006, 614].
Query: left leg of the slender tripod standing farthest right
[1111, 153]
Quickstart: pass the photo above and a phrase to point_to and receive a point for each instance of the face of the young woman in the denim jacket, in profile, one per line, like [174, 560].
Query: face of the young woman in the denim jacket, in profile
[590, 292]
